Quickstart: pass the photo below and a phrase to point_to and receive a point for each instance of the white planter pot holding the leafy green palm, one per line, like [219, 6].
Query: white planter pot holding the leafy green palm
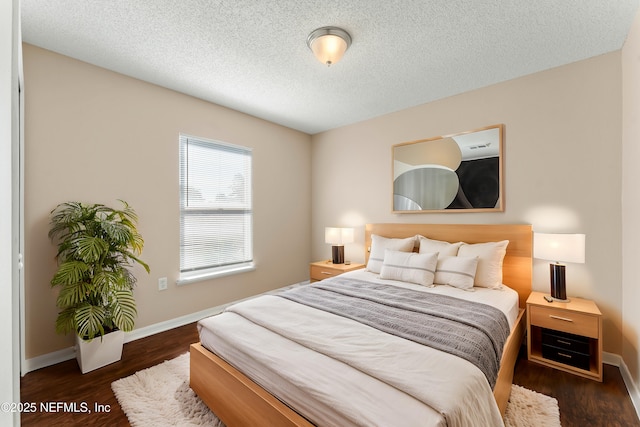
[99, 352]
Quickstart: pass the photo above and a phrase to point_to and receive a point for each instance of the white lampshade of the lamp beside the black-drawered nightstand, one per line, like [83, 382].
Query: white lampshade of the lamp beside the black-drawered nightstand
[559, 247]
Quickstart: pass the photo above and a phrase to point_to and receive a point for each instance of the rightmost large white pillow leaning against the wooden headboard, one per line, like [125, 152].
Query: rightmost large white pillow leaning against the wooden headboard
[490, 256]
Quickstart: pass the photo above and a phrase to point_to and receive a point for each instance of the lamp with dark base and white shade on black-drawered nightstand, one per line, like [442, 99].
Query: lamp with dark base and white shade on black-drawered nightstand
[559, 248]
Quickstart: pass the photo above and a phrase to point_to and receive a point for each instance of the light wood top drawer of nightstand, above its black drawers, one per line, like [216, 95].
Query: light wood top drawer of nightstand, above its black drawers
[565, 320]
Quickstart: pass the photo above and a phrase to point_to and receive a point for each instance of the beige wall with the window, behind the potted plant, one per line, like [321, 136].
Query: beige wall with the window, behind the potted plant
[96, 136]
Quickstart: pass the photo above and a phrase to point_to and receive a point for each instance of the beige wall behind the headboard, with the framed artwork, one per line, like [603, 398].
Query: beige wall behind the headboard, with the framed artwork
[562, 169]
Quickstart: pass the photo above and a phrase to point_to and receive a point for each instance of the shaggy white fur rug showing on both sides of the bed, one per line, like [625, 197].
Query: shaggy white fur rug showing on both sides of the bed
[160, 396]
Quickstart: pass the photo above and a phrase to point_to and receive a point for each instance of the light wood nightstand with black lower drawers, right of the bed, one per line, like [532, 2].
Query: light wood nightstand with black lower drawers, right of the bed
[565, 335]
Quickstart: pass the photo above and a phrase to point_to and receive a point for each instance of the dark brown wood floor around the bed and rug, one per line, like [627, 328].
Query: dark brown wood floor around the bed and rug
[582, 402]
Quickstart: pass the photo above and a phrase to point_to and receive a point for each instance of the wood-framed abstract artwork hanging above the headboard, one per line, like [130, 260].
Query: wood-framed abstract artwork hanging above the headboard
[461, 172]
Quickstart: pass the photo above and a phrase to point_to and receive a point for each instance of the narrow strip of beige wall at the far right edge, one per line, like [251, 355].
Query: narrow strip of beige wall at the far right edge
[631, 200]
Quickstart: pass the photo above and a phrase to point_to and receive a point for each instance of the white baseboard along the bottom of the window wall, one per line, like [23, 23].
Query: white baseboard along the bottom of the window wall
[69, 353]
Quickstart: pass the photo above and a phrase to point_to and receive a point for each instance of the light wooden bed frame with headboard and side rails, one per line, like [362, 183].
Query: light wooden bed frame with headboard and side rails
[238, 401]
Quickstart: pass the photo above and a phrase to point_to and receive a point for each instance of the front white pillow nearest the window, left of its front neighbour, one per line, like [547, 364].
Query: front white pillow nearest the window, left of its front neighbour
[409, 267]
